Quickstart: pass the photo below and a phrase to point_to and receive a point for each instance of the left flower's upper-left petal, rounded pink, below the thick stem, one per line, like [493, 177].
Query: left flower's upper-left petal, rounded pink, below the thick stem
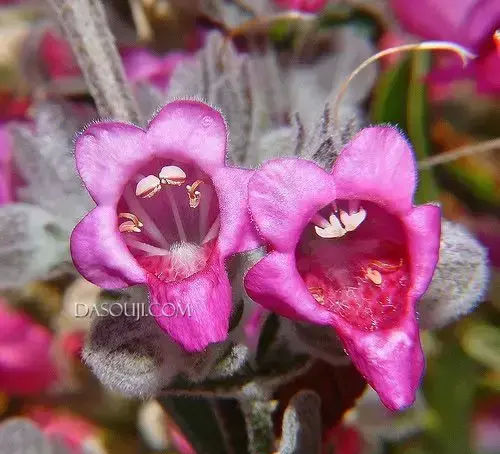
[106, 156]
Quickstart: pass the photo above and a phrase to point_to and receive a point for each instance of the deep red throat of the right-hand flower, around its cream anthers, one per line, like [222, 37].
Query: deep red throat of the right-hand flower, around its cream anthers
[363, 276]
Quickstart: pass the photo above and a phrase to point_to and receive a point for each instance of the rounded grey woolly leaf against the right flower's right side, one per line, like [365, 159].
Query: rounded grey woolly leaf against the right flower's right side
[460, 280]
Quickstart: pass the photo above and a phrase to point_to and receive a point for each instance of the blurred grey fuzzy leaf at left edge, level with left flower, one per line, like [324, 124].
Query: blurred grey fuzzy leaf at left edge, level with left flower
[31, 244]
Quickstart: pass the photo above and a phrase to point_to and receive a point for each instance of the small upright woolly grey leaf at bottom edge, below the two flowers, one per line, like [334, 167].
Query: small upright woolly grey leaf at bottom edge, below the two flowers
[301, 433]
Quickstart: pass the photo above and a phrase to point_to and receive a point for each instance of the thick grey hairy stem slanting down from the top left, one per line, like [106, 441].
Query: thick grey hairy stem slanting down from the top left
[86, 28]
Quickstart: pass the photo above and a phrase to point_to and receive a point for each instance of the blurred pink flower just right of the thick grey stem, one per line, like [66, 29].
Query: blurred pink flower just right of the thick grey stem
[144, 66]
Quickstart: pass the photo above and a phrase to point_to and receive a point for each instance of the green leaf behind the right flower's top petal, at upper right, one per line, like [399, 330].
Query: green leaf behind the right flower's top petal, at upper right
[400, 98]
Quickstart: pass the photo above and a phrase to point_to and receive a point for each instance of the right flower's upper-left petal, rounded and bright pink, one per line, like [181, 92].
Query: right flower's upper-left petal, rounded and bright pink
[283, 197]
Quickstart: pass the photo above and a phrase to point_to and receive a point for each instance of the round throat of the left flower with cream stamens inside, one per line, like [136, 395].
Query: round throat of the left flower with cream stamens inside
[169, 218]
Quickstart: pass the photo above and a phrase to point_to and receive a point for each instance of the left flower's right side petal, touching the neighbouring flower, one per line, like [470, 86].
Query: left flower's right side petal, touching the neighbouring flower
[237, 232]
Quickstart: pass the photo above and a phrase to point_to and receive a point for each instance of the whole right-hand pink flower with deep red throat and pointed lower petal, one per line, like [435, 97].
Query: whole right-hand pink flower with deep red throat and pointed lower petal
[348, 249]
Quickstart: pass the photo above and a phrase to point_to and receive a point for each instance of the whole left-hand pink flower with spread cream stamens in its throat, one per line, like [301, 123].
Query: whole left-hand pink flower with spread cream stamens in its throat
[169, 212]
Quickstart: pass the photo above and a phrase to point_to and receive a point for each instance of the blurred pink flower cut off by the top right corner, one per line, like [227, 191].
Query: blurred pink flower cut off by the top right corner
[471, 23]
